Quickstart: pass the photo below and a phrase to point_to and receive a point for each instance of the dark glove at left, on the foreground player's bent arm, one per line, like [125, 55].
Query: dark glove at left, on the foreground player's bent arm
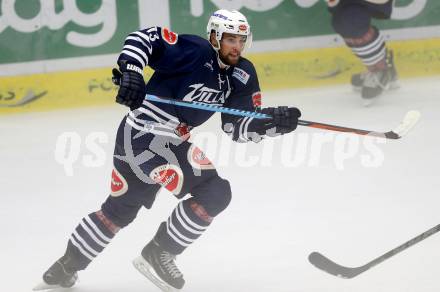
[131, 83]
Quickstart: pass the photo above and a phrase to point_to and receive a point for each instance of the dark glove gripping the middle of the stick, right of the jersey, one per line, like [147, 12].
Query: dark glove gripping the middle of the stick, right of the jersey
[285, 119]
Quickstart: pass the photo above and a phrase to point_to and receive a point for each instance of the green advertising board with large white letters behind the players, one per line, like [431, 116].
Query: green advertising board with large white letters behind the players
[35, 30]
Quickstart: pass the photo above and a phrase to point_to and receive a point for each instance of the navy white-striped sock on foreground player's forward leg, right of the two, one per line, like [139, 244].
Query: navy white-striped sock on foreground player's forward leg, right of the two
[186, 223]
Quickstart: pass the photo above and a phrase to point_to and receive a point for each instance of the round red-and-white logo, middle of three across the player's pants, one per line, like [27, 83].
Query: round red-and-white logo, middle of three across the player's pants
[168, 176]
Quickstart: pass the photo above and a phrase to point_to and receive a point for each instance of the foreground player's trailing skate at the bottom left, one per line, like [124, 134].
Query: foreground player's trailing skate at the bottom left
[58, 276]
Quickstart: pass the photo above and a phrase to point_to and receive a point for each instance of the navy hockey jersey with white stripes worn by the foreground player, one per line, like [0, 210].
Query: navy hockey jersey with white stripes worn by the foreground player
[186, 68]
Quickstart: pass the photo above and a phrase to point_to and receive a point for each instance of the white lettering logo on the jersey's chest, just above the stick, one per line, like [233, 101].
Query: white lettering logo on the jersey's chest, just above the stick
[207, 95]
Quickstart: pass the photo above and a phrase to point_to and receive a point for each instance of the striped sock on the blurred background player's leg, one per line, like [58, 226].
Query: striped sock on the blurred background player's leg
[370, 49]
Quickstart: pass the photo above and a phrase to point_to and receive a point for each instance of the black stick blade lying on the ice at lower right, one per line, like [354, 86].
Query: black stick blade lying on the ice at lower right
[325, 264]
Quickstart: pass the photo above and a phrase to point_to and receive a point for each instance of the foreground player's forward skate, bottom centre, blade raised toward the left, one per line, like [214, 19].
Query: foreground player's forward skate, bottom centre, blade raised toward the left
[159, 267]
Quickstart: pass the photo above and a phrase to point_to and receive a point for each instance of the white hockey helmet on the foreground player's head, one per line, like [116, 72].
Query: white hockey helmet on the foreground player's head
[225, 21]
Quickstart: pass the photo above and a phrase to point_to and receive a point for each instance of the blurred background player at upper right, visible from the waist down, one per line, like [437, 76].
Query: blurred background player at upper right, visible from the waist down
[352, 20]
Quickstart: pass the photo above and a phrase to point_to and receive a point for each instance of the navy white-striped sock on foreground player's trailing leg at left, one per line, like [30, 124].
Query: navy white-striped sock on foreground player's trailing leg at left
[89, 238]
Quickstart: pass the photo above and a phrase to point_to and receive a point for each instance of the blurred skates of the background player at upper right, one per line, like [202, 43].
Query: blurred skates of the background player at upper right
[373, 83]
